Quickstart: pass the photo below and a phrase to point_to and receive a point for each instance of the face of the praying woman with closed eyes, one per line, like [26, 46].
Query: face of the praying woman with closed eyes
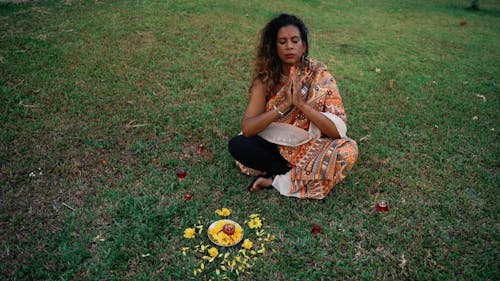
[289, 45]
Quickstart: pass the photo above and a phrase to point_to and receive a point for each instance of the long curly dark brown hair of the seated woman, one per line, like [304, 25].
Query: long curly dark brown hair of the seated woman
[267, 65]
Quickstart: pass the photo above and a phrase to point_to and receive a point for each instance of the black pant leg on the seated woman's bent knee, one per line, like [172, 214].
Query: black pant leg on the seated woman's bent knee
[257, 153]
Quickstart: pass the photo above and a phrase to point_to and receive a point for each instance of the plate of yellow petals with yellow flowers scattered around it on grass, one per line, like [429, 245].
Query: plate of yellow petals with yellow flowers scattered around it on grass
[226, 259]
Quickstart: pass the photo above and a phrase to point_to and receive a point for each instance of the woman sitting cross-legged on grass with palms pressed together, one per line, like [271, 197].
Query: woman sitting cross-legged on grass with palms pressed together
[294, 127]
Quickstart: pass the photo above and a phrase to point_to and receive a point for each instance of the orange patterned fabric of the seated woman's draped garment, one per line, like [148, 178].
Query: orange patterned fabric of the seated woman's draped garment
[318, 165]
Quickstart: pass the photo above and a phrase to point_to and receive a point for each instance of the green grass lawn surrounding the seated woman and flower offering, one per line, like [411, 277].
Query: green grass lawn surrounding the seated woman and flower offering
[101, 101]
